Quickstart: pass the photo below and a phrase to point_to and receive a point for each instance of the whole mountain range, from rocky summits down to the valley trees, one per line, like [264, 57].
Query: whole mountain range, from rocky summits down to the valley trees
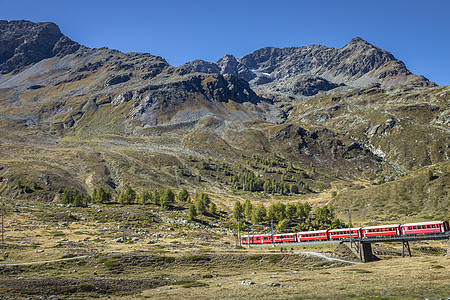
[282, 123]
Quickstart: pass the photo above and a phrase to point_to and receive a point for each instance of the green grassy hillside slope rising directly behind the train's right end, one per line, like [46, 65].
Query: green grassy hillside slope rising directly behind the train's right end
[421, 195]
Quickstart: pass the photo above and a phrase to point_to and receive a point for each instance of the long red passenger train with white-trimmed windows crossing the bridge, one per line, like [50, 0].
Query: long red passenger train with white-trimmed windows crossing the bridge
[433, 227]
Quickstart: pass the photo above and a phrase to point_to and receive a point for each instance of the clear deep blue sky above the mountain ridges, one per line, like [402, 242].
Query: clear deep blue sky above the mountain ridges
[416, 32]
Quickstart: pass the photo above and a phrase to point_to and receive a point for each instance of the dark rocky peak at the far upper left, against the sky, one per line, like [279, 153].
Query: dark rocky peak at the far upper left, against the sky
[23, 43]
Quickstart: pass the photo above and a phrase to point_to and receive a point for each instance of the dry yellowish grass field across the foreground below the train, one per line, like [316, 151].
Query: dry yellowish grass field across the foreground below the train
[73, 253]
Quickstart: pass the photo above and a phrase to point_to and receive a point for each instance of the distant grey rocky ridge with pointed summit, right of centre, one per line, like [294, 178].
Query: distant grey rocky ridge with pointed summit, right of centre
[358, 63]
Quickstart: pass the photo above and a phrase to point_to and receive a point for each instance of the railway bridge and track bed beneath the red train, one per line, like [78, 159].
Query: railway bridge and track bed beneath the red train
[362, 247]
